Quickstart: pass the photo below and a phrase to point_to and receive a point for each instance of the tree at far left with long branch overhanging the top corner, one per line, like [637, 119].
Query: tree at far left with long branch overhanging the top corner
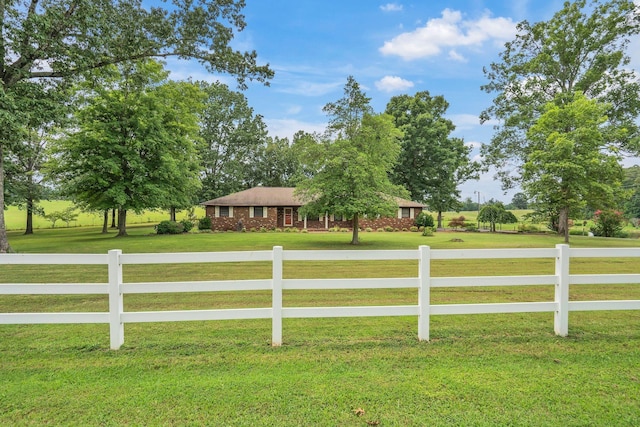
[61, 39]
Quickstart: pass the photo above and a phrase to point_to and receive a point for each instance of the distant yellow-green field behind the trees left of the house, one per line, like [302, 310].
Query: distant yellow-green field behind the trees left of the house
[15, 218]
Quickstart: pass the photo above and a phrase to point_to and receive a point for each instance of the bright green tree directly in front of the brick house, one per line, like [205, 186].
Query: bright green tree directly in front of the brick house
[353, 176]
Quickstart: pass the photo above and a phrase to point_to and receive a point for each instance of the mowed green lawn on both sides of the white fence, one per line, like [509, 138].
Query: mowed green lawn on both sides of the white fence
[477, 369]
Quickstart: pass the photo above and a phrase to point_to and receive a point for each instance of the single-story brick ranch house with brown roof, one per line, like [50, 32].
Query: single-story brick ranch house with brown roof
[278, 207]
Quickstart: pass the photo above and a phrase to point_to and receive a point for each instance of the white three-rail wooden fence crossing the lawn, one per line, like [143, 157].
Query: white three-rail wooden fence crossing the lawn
[116, 317]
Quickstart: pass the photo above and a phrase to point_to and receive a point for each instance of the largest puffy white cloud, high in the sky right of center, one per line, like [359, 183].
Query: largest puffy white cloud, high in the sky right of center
[449, 31]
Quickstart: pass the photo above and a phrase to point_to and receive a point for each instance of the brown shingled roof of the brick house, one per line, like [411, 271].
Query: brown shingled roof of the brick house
[276, 196]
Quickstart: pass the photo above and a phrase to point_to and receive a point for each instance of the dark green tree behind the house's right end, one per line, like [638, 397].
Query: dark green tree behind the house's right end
[431, 164]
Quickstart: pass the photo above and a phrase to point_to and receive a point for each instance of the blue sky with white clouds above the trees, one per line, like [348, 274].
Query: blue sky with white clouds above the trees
[390, 48]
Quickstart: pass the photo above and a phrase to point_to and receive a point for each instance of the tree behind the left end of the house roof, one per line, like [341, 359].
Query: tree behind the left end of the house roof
[232, 137]
